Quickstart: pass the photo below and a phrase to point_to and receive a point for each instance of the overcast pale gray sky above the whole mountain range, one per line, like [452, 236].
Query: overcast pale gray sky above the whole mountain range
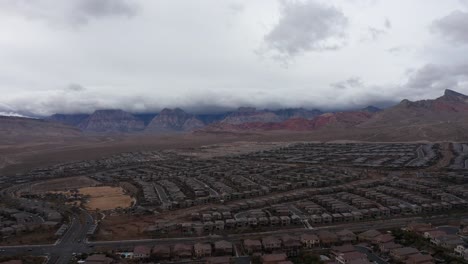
[204, 56]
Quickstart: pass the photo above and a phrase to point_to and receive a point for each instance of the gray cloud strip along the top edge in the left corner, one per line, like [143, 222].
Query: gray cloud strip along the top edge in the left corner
[71, 12]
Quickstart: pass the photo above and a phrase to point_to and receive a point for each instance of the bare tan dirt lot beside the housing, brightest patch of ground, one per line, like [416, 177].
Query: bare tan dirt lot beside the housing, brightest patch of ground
[106, 198]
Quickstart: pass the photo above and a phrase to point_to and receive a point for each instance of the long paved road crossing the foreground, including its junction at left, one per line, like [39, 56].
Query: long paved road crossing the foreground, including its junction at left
[74, 240]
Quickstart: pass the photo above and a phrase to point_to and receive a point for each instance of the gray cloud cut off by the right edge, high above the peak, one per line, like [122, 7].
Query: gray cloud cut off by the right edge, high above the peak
[454, 27]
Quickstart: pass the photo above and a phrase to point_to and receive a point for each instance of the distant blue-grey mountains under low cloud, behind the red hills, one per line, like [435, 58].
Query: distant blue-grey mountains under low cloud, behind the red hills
[175, 120]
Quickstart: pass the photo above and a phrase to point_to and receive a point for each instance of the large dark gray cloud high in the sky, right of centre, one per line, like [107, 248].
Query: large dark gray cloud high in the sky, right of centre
[306, 26]
